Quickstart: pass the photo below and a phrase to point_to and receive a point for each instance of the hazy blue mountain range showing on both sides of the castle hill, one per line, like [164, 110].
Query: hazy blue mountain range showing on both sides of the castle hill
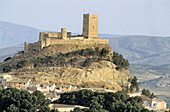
[137, 49]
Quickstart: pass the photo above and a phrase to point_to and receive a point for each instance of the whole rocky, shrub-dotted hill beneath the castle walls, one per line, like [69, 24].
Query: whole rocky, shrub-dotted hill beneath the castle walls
[81, 65]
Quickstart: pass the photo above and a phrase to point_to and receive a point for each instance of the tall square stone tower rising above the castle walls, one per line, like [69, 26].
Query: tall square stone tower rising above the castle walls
[90, 26]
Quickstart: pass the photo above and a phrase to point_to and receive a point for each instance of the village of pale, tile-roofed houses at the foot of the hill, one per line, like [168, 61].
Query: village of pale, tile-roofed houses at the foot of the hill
[53, 92]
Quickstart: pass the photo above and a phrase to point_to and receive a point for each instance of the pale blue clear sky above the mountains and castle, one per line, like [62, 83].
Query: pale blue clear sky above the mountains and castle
[124, 17]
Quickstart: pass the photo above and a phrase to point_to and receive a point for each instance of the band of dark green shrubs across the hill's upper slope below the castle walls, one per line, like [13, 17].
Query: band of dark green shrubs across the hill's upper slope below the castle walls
[78, 58]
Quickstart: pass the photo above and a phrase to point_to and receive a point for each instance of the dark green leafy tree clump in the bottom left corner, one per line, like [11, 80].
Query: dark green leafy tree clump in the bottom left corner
[14, 99]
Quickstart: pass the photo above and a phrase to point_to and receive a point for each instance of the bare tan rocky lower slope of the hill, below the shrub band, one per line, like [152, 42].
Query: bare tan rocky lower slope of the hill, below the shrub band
[99, 75]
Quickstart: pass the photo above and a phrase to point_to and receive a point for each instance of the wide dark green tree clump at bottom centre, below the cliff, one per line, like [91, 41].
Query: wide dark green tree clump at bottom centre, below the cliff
[103, 102]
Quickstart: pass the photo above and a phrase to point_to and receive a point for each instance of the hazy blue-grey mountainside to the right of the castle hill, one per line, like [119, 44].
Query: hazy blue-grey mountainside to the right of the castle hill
[143, 49]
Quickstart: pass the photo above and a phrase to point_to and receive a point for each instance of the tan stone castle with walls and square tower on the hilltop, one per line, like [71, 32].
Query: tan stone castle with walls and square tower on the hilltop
[89, 36]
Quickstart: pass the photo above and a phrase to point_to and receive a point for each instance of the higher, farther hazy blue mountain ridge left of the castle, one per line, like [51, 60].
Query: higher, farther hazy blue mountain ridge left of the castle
[14, 34]
